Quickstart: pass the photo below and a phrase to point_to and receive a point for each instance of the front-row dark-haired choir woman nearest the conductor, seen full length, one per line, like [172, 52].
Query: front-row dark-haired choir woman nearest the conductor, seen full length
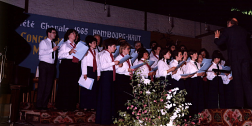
[216, 97]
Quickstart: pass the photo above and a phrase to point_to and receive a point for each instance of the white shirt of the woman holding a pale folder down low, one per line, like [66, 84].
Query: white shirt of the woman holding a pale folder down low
[88, 61]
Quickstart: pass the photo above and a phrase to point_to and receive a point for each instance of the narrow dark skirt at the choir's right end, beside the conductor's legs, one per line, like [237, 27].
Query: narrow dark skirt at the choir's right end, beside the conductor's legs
[229, 95]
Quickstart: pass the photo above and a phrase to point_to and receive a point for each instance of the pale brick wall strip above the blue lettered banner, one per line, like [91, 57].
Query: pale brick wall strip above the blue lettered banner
[87, 11]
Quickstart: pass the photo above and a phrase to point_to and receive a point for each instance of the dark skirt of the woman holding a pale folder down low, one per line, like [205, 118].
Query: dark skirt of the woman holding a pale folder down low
[88, 98]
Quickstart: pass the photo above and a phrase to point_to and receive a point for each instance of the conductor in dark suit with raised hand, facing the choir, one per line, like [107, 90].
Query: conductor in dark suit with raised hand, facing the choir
[235, 38]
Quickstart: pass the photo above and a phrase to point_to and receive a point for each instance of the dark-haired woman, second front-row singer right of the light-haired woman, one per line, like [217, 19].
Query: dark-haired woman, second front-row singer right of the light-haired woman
[164, 71]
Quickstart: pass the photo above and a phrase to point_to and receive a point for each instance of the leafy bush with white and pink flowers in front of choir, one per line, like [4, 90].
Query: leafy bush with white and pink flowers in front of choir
[153, 105]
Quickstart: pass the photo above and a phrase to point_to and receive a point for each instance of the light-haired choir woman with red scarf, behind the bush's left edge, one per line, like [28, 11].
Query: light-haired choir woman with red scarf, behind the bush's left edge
[123, 89]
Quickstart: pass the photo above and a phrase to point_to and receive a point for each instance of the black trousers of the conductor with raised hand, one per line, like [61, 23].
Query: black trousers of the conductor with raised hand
[242, 83]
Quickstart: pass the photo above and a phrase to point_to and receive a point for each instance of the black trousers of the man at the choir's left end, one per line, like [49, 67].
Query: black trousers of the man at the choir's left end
[46, 77]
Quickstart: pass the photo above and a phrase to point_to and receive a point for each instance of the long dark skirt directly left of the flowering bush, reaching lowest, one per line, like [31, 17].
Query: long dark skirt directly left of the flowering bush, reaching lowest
[105, 104]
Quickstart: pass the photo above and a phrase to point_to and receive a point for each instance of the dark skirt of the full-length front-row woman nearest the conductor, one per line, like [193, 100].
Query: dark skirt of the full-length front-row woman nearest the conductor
[216, 96]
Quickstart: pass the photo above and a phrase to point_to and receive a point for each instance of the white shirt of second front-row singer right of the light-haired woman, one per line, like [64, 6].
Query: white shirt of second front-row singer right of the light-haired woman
[162, 69]
